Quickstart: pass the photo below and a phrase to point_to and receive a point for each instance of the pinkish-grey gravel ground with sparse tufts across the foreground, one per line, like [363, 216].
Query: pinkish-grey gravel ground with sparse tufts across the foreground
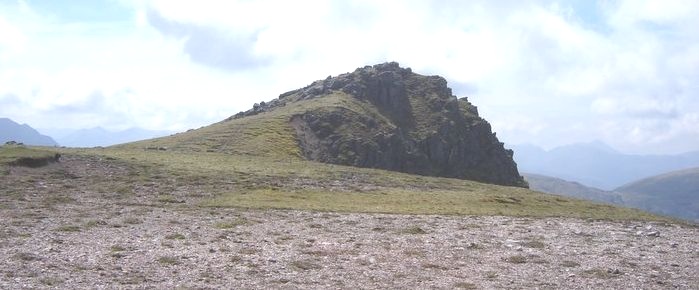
[60, 230]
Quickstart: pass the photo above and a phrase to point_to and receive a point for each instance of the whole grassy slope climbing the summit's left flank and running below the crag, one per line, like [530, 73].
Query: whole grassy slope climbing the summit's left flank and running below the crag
[255, 162]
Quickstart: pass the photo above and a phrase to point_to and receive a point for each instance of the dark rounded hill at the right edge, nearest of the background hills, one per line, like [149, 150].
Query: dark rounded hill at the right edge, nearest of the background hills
[675, 194]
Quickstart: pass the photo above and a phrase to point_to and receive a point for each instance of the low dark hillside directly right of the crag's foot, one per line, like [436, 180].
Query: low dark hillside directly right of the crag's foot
[569, 188]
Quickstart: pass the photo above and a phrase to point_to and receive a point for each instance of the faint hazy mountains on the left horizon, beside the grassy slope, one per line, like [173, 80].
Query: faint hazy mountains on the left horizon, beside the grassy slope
[101, 137]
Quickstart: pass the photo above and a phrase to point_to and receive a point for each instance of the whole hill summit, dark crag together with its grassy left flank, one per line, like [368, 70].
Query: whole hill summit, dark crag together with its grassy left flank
[380, 116]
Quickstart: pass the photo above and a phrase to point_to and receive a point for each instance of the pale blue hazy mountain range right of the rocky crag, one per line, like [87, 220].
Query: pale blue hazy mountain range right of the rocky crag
[596, 164]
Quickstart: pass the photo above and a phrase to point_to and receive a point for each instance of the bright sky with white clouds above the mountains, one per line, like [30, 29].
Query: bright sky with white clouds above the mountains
[542, 72]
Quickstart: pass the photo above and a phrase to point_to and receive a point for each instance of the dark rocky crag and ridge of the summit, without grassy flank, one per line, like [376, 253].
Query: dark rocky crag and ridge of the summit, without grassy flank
[406, 122]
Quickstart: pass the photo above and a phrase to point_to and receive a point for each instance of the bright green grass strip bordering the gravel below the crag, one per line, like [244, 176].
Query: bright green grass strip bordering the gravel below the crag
[405, 201]
